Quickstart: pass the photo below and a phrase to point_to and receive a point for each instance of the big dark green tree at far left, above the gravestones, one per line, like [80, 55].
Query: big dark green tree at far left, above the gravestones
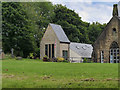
[16, 29]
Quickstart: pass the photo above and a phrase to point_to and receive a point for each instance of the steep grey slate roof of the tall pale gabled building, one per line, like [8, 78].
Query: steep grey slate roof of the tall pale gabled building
[60, 33]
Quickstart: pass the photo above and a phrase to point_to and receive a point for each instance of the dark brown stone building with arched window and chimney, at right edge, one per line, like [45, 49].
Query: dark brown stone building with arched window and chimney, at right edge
[107, 45]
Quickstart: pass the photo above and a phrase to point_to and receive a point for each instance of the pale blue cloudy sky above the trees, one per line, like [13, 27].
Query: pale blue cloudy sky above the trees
[90, 10]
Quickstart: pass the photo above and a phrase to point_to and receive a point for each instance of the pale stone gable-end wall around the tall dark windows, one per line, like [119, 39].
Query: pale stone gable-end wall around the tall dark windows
[49, 38]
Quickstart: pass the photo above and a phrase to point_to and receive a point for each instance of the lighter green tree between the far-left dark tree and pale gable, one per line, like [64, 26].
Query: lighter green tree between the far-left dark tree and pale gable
[40, 14]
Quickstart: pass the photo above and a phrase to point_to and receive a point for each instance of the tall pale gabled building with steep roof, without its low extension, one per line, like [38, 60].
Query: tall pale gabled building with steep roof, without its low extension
[54, 42]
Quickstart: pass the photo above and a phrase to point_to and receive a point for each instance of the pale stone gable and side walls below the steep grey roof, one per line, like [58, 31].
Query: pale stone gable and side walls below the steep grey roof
[50, 38]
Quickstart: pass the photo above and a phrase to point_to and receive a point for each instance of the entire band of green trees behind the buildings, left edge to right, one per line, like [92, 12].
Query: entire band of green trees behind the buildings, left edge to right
[23, 26]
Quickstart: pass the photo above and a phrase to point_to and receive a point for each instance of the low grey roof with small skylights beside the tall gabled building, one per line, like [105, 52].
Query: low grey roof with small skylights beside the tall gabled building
[84, 50]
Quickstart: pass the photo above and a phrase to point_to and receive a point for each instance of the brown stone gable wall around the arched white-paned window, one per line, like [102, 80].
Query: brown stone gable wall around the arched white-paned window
[105, 40]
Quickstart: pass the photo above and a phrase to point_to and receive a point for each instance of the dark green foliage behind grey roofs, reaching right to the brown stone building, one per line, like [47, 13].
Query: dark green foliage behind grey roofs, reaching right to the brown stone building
[76, 29]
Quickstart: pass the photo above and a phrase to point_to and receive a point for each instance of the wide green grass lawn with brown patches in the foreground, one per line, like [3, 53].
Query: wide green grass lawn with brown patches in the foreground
[28, 73]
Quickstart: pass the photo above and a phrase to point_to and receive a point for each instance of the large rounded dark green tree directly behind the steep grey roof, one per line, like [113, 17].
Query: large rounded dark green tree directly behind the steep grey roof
[74, 27]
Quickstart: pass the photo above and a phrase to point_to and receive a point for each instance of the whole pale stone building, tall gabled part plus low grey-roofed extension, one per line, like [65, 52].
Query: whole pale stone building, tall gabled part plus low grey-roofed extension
[55, 43]
